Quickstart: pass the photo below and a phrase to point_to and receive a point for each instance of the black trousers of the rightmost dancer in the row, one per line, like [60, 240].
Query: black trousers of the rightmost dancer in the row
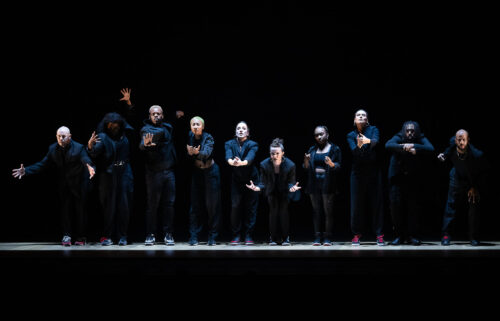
[457, 195]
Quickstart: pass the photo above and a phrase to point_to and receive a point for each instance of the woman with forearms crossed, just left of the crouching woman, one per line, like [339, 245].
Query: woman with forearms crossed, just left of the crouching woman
[240, 155]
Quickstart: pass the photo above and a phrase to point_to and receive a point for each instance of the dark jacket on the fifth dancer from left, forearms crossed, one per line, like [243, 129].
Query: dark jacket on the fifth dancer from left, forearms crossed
[246, 151]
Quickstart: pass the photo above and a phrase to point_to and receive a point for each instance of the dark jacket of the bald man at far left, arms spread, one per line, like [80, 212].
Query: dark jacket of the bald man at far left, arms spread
[70, 165]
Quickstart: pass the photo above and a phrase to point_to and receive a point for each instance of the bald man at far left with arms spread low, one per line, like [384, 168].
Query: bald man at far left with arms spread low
[74, 169]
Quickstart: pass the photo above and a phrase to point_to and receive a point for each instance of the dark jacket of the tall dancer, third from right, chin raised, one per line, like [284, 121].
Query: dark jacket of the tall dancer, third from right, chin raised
[364, 158]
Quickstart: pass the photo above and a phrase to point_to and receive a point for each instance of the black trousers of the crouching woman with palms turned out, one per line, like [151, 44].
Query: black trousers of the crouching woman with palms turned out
[279, 217]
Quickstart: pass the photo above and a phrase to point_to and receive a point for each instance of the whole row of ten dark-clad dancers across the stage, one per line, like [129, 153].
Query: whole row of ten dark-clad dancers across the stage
[107, 155]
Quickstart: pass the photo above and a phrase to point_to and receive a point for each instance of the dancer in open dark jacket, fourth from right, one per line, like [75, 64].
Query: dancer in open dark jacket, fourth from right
[322, 162]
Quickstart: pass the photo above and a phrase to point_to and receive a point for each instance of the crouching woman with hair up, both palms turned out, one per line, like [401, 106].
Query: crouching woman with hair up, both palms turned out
[277, 181]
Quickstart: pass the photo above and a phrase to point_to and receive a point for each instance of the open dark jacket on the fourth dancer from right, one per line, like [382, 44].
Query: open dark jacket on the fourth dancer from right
[330, 175]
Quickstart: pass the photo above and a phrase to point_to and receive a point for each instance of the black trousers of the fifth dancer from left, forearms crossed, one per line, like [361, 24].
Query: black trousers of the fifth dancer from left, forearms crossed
[244, 204]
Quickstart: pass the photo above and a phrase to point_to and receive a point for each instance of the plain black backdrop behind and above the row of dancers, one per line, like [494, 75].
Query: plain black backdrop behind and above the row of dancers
[282, 68]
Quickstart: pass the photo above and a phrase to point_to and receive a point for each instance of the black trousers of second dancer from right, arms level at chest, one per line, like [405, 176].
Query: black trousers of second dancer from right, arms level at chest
[405, 207]
